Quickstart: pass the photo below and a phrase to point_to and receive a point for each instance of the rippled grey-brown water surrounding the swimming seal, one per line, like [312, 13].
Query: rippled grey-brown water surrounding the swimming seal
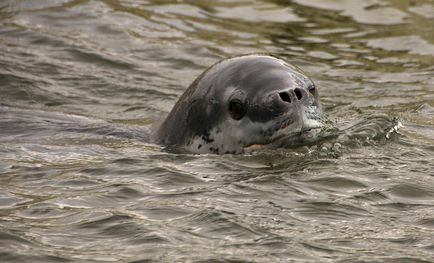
[364, 194]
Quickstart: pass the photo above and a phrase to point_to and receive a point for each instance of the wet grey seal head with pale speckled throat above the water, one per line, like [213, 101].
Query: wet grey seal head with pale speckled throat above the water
[244, 103]
